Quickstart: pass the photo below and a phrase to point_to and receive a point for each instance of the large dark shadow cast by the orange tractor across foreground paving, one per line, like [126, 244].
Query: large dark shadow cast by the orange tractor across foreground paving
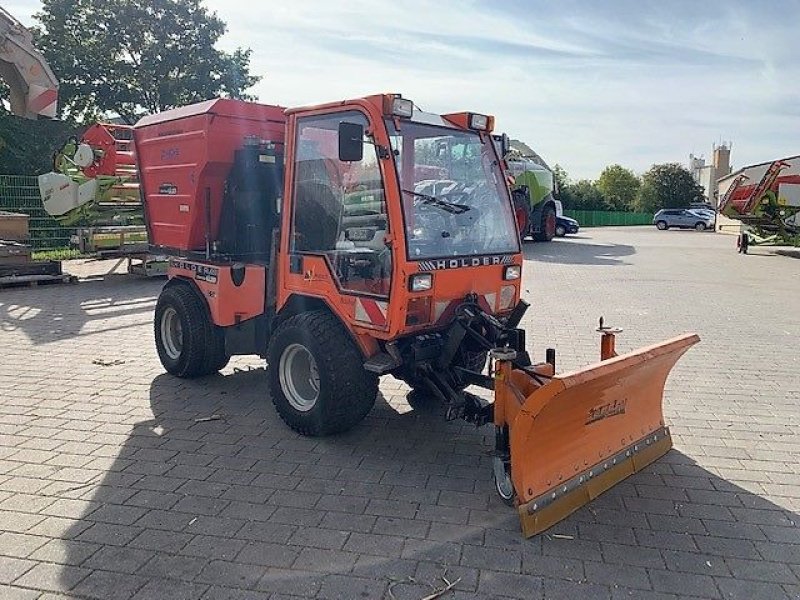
[213, 494]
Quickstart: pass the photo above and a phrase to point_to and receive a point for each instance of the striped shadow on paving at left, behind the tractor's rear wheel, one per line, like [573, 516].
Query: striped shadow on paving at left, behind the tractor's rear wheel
[56, 312]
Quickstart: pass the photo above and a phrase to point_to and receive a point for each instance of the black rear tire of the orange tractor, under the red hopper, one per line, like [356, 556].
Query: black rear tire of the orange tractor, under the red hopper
[195, 350]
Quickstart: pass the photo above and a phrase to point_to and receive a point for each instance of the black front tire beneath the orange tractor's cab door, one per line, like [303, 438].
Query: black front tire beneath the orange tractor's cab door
[345, 392]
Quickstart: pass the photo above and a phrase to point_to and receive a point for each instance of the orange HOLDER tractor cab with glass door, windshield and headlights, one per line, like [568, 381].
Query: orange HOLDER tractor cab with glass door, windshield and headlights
[398, 214]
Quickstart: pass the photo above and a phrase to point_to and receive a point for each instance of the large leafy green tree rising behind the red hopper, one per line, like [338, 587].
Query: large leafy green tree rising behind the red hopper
[130, 57]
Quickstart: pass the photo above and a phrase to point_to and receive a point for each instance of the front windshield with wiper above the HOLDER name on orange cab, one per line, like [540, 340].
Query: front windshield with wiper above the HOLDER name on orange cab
[455, 202]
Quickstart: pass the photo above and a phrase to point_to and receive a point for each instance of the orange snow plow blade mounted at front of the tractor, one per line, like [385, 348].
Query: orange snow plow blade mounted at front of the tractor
[575, 435]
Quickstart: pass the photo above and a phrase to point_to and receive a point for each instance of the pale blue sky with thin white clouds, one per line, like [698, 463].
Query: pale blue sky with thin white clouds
[585, 84]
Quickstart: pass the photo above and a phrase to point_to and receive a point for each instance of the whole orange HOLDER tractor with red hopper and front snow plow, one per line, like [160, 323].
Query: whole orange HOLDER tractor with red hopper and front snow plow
[361, 238]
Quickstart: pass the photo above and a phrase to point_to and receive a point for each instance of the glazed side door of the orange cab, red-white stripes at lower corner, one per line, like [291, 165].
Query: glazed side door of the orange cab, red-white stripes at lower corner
[339, 222]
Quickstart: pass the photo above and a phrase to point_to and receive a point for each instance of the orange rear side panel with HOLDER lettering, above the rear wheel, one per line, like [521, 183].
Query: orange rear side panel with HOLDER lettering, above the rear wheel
[228, 303]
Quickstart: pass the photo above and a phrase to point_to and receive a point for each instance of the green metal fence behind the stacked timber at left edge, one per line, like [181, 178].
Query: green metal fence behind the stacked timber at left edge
[20, 193]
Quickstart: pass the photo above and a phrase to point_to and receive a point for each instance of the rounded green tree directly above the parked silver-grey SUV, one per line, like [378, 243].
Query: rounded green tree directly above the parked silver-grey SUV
[669, 185]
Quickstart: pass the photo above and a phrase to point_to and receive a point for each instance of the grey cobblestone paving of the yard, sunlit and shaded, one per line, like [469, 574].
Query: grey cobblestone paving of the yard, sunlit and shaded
[110, 487]
